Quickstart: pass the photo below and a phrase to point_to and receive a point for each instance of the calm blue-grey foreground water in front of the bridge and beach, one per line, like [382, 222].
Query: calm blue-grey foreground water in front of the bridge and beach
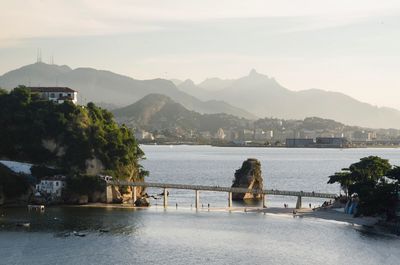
[158, 236]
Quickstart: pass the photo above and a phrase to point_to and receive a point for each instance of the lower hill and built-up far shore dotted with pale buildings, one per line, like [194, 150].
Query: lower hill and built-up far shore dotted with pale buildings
[158, 118]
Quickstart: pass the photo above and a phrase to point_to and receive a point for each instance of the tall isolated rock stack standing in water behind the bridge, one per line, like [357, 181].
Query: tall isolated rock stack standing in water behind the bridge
[248, 177]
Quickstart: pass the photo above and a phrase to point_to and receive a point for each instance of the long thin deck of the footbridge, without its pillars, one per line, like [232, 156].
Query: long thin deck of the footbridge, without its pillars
[224, 189]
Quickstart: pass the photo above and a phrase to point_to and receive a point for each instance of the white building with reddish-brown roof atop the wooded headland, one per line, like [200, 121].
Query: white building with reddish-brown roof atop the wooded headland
[56, 94]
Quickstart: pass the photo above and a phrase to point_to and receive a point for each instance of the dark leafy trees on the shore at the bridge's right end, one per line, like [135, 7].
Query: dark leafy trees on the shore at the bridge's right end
[375, 181]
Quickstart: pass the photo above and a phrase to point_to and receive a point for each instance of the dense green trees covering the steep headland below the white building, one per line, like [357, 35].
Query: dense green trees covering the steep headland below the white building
[65, 136]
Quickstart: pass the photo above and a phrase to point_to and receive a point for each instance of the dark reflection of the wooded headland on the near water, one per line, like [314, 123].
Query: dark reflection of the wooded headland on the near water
[65, 220]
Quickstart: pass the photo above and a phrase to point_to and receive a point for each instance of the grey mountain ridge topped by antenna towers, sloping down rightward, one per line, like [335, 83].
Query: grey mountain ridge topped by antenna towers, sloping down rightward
[110, 88]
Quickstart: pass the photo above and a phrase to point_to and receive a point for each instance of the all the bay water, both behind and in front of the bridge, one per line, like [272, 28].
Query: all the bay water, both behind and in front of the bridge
[184, 236]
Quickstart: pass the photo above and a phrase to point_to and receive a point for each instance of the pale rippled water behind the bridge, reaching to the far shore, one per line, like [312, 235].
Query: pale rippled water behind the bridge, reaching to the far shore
[282, 169]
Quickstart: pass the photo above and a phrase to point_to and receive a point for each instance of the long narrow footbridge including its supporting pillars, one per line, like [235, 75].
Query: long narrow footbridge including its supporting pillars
[229, 190]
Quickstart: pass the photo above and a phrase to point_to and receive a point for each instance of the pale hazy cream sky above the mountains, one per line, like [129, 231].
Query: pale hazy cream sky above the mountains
[347, 46]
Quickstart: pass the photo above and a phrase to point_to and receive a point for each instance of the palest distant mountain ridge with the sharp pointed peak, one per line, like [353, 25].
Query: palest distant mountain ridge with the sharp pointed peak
[265, 97]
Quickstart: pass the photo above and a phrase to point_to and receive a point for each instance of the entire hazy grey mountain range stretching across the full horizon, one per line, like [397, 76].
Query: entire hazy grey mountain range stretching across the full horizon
[252, 96]
